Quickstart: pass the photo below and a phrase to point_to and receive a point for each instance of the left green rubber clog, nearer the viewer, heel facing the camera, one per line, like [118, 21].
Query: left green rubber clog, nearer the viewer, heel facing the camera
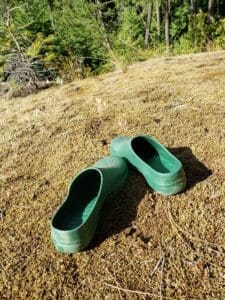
[74, 223]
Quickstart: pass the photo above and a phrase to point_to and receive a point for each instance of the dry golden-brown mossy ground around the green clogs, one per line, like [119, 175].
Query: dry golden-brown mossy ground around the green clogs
[147, 246]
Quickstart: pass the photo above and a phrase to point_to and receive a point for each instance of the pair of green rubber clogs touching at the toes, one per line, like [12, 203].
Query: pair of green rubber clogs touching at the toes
[75, 222]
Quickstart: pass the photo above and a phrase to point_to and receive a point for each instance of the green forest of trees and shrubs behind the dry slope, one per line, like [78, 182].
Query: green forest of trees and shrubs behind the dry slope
[48, 40]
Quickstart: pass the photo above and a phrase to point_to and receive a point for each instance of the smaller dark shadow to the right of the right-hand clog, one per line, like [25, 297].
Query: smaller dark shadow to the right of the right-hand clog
[195, 170]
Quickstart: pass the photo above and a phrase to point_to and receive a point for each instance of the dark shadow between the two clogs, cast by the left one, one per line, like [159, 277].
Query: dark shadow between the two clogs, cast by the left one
[120, 211]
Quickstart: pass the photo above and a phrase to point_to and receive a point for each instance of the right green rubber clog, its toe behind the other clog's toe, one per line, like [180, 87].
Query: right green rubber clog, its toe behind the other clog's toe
[161, 169]
